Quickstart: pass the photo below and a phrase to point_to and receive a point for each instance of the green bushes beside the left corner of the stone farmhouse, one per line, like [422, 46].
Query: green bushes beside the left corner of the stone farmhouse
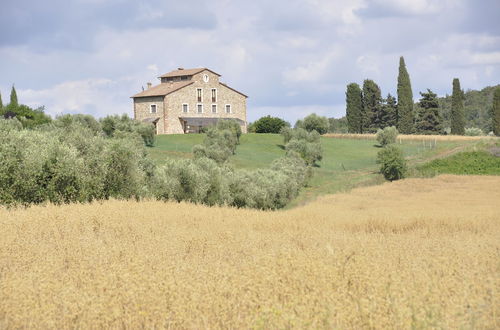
[119, 126]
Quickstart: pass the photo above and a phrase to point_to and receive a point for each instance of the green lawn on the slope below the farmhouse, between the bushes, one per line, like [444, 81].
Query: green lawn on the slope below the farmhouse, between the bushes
[346, 163]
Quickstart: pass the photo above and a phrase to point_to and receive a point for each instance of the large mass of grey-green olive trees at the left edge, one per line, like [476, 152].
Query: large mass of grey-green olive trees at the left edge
[69, 164]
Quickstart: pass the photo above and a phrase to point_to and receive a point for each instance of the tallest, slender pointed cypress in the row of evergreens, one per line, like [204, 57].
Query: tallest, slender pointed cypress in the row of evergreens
[405, 100]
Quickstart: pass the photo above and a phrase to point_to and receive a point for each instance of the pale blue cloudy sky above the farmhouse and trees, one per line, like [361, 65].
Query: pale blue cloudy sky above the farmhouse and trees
[291, 57]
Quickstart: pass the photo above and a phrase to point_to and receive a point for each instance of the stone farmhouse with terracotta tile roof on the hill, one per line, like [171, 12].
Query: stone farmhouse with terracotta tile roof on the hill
[186, 100]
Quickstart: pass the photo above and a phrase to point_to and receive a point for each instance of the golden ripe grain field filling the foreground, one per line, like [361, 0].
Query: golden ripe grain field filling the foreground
[419, 253]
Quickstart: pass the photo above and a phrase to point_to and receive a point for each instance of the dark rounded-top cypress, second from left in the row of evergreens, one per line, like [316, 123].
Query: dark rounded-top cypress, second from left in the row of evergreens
[372, 102]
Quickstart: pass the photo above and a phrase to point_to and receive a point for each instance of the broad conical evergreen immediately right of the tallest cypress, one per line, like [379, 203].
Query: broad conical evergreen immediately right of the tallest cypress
[428, 119]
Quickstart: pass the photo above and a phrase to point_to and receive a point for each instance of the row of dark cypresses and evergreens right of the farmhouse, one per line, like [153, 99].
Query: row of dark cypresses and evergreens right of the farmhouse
[367, 111]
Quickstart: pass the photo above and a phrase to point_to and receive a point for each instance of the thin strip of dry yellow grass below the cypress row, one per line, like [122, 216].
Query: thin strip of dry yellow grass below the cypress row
[438, 138]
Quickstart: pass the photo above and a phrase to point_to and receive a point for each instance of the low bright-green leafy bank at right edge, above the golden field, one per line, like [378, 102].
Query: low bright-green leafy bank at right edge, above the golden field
[470, 163]
